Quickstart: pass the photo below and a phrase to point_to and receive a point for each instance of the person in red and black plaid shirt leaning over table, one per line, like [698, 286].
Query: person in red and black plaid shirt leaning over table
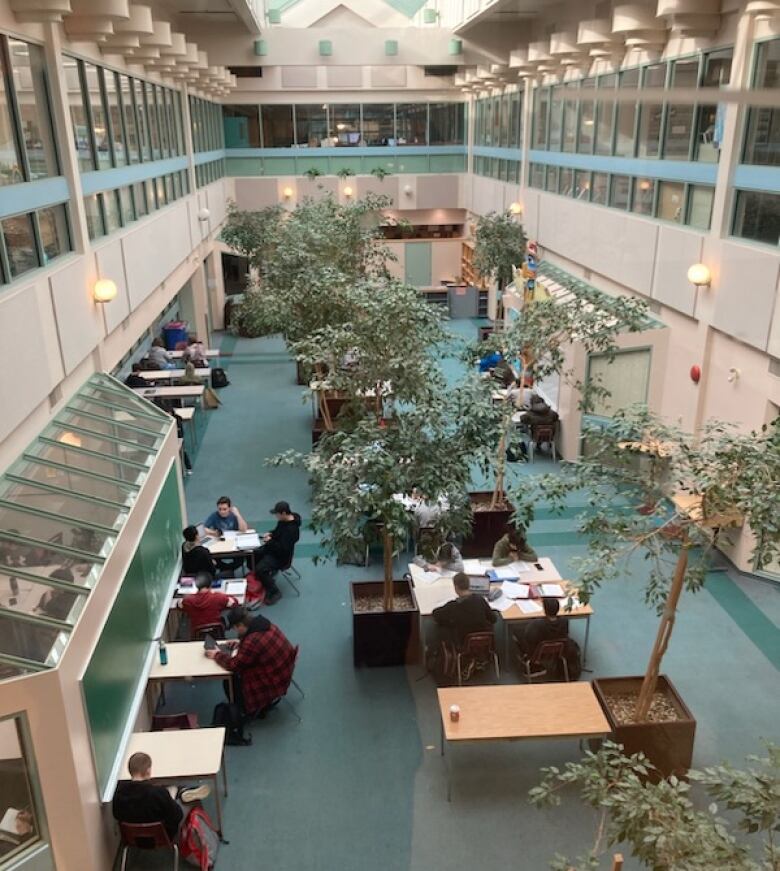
[264, 660]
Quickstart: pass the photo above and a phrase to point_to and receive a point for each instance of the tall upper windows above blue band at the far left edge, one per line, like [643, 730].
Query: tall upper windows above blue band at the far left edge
[27, 148]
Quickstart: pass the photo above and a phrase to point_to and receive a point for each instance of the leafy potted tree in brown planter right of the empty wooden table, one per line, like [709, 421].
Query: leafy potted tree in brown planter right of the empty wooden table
[711, 484]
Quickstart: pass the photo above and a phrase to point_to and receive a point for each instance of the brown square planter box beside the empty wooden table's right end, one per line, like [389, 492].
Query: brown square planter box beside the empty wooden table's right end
[669, 745]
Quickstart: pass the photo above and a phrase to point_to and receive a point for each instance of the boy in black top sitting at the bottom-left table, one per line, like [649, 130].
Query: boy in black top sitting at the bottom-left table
[139, 801]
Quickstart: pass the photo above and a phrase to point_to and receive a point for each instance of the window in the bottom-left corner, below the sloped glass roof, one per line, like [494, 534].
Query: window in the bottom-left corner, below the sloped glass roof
[16, 778]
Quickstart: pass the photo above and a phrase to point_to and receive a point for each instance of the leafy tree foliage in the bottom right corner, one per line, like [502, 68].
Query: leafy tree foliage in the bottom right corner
[659, 820]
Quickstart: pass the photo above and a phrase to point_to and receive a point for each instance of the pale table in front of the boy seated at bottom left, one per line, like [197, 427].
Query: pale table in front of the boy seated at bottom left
[182, 756]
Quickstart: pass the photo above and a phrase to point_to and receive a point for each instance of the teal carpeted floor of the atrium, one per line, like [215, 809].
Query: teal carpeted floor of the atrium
[359, 783]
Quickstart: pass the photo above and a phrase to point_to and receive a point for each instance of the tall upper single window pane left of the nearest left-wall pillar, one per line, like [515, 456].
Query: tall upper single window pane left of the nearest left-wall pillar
[32, 97]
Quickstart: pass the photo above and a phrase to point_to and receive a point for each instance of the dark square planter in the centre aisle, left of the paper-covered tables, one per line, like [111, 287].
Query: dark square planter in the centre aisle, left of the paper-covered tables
[384, 637]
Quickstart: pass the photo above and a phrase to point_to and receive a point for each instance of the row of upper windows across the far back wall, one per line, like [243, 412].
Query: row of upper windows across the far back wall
[329, 125]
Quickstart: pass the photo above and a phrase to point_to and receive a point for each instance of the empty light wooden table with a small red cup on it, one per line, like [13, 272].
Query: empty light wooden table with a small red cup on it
[519, 713]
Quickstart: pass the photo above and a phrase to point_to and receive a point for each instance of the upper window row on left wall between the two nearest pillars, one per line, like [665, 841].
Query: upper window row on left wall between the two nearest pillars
[118, 119]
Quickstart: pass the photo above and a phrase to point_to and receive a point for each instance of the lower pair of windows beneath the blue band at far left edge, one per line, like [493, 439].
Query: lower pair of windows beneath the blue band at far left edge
[32, 240]
